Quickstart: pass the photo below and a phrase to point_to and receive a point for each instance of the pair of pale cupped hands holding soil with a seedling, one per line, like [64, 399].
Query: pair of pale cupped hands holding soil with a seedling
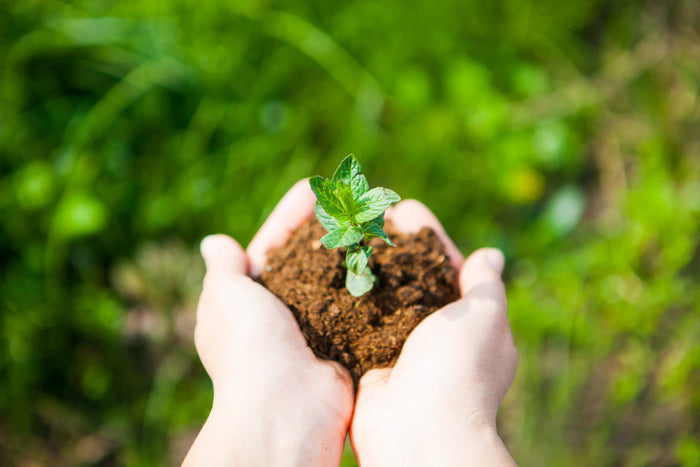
[276, 403]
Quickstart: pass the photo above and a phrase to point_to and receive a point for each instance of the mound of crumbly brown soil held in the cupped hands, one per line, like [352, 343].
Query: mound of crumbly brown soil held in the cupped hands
[362, 333]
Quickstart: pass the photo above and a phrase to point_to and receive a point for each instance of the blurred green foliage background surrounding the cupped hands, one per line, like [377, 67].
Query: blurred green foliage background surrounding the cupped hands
[565, 133]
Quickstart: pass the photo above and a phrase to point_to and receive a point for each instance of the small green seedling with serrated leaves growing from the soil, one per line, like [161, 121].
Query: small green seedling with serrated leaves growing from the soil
[352, 214]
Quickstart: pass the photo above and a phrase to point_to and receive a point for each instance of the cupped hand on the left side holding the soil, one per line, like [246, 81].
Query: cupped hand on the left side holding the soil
[275, 403]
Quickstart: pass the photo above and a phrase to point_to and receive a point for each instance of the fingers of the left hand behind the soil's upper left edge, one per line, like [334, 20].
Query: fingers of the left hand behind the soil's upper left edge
[295, 207]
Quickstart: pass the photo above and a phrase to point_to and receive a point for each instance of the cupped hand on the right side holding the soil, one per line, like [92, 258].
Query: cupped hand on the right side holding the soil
[438, 405]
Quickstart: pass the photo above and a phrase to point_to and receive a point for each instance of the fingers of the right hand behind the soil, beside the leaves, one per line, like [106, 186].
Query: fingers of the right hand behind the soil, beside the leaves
[410, 216]
